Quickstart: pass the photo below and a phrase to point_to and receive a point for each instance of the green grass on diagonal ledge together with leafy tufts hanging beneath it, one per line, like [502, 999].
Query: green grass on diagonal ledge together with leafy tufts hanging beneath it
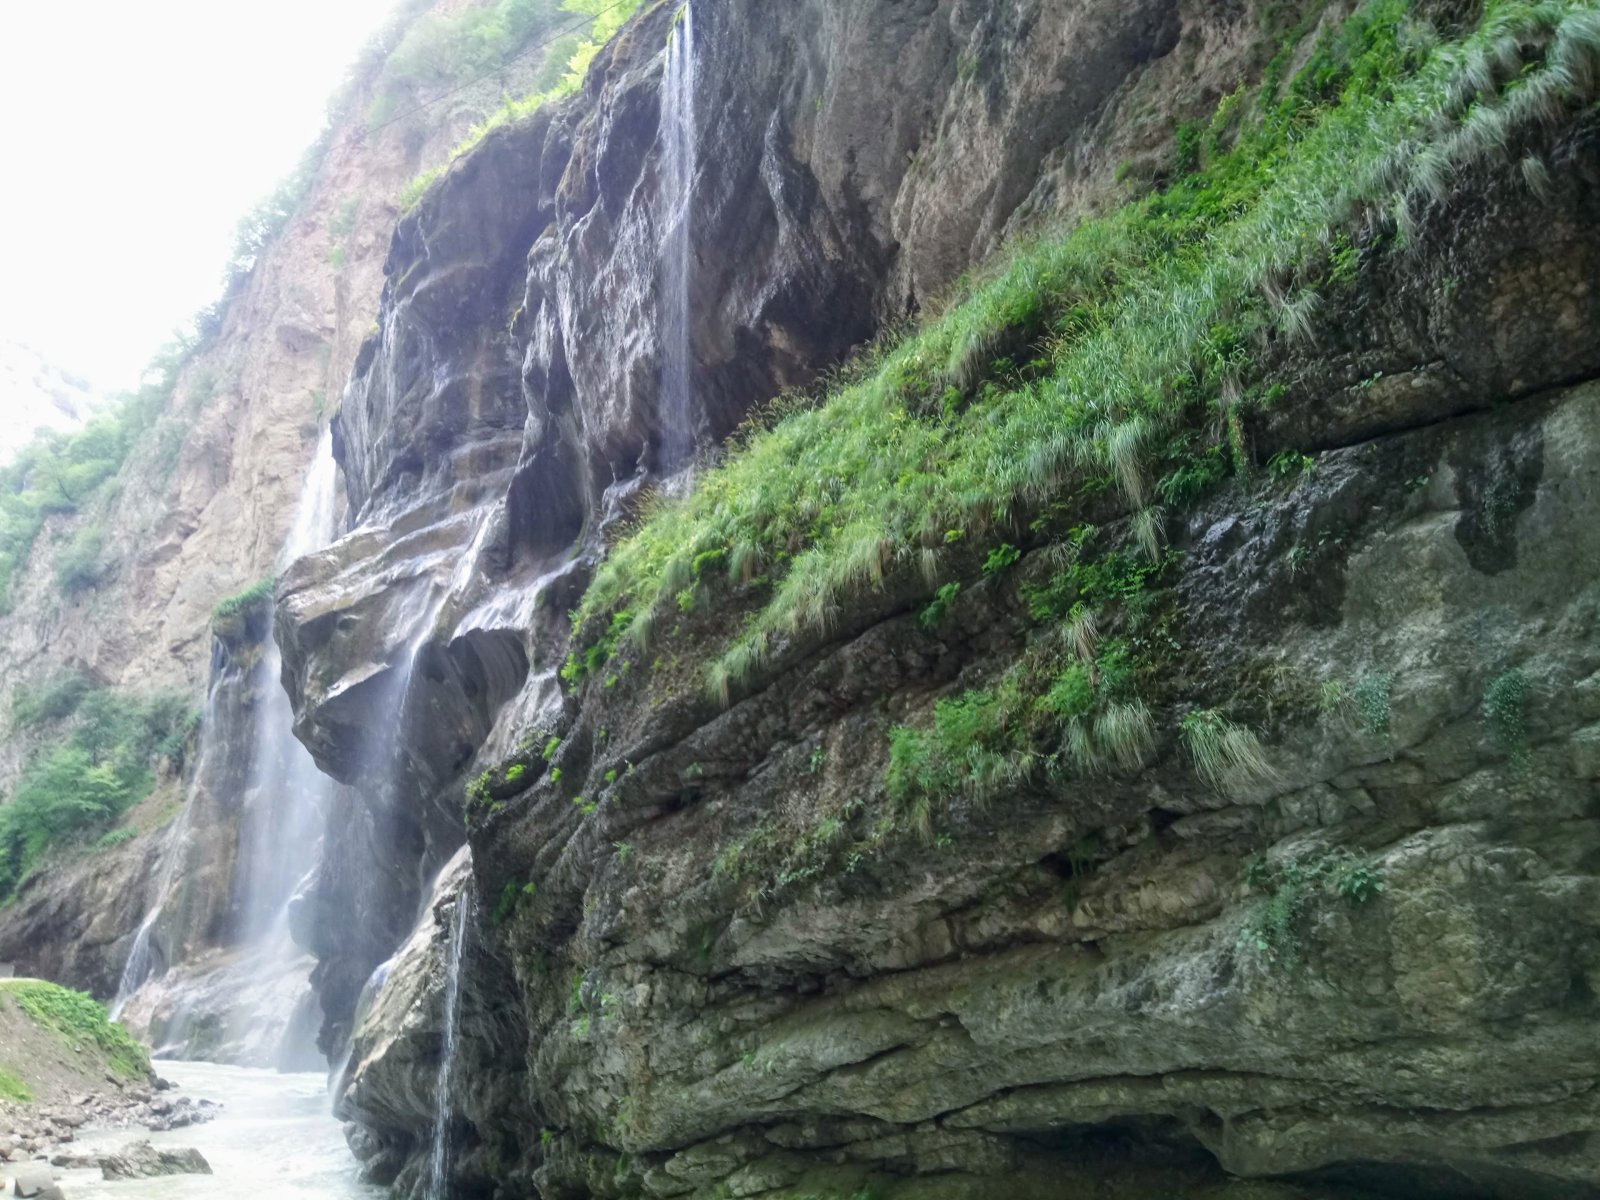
[1110, 366]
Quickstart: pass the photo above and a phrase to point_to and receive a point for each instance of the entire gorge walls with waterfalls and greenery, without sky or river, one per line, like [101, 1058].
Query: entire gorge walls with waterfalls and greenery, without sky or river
[906, 601]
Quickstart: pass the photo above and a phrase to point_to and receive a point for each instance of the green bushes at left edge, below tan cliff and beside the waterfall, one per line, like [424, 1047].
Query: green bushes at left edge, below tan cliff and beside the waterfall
[100, 769]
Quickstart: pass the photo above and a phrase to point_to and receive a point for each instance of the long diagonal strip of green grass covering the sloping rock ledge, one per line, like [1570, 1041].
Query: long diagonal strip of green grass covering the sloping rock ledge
[1142, 319]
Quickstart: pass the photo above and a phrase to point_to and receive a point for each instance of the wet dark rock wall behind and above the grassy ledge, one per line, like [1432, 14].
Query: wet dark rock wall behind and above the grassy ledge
[506, 415]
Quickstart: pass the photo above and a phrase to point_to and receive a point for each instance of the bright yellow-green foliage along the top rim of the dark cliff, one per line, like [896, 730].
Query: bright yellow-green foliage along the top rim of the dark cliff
[585, 30]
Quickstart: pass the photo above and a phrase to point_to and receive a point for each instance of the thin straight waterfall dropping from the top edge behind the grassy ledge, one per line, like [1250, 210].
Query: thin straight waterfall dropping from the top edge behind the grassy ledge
[678, 185]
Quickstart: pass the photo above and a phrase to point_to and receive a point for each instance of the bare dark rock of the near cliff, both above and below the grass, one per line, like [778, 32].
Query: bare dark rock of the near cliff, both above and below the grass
[1364, 972]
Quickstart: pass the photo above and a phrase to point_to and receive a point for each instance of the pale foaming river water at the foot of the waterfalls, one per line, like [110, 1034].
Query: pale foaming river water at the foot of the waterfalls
[276, 1137]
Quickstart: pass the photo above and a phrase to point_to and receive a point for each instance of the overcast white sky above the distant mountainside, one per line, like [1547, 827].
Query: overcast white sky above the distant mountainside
[134, 135]
